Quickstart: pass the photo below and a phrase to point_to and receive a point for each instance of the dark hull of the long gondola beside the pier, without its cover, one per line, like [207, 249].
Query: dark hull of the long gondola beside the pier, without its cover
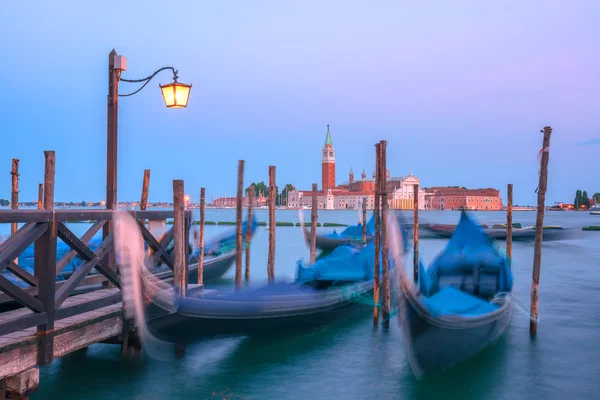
[198, 318]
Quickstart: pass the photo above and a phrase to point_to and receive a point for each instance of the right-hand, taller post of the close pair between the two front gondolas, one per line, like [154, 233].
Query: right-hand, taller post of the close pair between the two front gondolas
[384, 242]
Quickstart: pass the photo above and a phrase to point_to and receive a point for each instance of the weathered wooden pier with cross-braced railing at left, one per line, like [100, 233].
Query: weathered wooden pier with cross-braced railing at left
[51, 318]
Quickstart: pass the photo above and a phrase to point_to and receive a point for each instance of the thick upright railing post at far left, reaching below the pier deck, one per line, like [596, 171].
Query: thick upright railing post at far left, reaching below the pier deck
[45, 267]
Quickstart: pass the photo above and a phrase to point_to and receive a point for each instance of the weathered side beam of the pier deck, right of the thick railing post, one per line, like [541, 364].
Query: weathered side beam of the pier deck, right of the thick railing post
[74, 340]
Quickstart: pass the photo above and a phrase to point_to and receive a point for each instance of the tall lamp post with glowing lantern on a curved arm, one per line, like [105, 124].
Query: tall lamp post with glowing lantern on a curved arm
[175, 95]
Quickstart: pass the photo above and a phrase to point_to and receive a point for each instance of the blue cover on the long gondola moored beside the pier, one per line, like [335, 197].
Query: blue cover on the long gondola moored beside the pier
[345, 263]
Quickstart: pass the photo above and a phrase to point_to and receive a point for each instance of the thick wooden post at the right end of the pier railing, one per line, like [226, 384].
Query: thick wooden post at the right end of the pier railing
[179, 247]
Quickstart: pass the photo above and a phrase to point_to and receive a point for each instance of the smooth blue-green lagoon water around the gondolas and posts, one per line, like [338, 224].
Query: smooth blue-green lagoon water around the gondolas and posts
[351, 360]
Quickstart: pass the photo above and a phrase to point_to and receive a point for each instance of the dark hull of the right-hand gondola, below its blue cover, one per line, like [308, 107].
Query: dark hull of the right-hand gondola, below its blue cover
[433, 344]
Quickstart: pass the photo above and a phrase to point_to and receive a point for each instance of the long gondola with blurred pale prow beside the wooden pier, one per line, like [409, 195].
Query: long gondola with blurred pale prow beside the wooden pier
[322, 293]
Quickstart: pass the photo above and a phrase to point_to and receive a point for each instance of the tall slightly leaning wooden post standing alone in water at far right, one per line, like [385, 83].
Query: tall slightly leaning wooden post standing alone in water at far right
[539, 231]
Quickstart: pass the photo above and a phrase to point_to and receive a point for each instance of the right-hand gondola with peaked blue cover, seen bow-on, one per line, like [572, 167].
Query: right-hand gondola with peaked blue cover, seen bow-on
[461, 304]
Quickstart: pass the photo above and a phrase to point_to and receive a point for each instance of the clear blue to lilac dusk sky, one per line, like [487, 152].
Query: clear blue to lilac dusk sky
[460, 90]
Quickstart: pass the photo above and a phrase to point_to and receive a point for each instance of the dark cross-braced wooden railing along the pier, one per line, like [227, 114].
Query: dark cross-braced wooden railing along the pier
[42, 294]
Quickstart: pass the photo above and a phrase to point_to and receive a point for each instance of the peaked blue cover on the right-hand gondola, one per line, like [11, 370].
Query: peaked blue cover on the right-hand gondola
[470, 262]
